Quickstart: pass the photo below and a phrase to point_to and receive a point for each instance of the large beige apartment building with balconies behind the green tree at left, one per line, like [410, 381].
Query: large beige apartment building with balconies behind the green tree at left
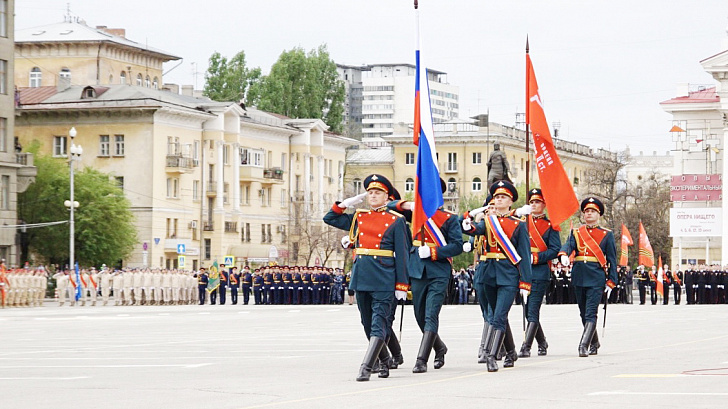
[209, 177]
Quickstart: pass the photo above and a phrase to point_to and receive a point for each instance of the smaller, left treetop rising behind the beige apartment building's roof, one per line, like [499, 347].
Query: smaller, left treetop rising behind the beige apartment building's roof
[229, 80]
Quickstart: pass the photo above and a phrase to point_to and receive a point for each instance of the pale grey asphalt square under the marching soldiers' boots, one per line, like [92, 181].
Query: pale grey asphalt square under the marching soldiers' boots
[252, 356]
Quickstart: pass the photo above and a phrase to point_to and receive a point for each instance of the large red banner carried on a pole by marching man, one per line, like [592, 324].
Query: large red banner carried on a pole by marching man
[557, 190]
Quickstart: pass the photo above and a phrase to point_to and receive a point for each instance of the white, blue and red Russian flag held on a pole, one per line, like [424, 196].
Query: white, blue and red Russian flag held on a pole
[428, 194]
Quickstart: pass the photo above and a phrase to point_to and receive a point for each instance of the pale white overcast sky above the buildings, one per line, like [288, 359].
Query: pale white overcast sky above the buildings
[602, 67]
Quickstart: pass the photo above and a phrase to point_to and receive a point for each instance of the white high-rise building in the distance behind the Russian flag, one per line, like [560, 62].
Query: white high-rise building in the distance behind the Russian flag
[388, 90]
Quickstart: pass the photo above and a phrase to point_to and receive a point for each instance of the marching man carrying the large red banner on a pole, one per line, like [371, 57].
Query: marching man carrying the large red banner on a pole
[545, 245]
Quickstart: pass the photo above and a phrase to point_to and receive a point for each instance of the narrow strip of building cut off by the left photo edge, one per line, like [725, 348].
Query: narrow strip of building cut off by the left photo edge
[16, 167]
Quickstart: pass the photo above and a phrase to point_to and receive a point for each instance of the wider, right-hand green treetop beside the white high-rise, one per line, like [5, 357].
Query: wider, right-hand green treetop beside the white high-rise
[303, 85]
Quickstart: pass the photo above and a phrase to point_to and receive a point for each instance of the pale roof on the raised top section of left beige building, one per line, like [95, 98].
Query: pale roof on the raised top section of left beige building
[78, 31]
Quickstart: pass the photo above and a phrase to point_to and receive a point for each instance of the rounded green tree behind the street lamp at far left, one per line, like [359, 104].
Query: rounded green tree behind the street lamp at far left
[105, 231]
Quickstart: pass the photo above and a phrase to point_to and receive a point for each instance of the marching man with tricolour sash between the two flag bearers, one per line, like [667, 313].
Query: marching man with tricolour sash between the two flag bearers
[505, 267]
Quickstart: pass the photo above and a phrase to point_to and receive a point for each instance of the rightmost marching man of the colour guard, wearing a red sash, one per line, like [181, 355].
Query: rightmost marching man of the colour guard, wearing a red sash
[595, 265]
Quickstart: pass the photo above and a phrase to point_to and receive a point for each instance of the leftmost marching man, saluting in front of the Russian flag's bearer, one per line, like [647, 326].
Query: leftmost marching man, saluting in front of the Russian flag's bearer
[377, 275]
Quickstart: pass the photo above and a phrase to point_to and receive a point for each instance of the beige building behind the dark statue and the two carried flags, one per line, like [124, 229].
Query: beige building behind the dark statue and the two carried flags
[463, 148]
